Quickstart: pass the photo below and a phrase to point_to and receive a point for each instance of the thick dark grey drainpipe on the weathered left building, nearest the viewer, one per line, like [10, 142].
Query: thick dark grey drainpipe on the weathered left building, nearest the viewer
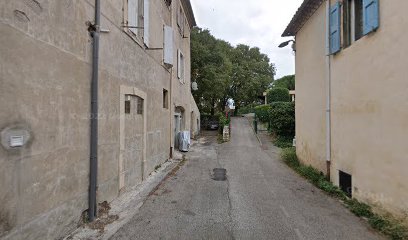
[94, 115]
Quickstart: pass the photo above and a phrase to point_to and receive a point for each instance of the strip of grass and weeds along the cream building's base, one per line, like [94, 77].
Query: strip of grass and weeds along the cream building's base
[387, 225]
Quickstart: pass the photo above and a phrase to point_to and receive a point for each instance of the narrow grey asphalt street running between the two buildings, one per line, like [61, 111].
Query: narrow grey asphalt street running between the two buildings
[261, 199]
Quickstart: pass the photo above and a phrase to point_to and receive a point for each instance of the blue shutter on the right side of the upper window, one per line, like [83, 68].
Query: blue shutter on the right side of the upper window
[371, 14]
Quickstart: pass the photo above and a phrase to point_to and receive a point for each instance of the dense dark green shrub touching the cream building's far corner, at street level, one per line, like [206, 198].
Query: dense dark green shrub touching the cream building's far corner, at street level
[282, 118]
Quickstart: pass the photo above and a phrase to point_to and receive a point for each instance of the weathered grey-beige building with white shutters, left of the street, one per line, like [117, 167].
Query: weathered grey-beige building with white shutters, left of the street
[45, 91]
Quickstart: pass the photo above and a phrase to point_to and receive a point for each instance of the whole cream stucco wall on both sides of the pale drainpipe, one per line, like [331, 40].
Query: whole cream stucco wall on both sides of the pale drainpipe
[369, 102]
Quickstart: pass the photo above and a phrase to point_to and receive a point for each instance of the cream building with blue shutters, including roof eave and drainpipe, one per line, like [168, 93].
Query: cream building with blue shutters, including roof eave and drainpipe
[351, 96]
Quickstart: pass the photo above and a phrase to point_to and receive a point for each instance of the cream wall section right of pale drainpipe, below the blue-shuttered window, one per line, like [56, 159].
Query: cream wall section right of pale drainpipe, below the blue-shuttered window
[369, 111]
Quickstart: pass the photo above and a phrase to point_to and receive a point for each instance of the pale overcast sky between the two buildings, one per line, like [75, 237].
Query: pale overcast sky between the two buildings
[257, 23]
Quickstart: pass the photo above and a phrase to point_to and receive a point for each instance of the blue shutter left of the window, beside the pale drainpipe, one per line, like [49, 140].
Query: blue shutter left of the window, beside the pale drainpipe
[335, 19]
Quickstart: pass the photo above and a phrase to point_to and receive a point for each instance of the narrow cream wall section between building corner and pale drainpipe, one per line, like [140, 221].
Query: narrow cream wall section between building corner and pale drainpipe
[310, 92]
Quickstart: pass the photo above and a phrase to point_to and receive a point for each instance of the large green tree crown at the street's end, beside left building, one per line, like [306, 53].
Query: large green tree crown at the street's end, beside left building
[223, 71]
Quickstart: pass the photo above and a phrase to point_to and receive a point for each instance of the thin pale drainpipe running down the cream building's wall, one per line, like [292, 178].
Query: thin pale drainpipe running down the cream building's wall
[328, 91]
